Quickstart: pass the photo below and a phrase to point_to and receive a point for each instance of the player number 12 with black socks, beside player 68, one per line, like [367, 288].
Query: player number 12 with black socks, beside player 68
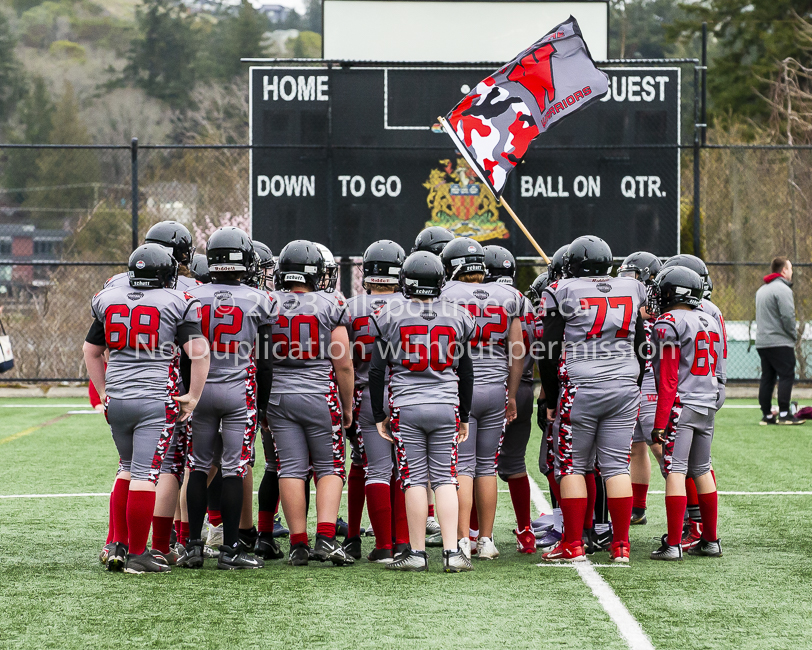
[237, 322]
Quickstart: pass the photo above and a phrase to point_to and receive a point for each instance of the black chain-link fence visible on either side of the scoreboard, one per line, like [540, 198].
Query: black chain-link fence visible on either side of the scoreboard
[67, 217]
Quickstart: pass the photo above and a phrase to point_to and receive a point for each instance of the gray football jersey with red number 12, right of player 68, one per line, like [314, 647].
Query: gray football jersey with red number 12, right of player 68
[231, 316]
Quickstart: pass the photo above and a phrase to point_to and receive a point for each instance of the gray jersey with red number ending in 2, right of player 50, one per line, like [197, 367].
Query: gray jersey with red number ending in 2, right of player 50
[494, 306]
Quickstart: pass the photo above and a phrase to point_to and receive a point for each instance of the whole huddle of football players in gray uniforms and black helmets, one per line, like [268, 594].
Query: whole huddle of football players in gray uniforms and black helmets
[428, 375]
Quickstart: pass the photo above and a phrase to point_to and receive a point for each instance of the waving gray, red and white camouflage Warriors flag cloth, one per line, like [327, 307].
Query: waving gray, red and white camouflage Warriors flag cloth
[495, 123]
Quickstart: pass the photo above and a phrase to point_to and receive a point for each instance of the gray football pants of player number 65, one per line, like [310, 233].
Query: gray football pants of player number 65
[688, 442]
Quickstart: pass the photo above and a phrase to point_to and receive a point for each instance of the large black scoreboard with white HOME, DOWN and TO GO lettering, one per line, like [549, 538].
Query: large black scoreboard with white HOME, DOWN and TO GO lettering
[345, 155]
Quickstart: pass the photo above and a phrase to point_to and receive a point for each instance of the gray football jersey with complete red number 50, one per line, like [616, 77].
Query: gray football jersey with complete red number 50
[420, 341]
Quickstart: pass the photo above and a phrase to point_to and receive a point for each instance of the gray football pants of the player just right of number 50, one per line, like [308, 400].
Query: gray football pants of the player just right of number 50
[479, 454]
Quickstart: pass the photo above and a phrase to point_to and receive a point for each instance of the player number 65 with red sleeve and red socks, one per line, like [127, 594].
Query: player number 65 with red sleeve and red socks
[687, 346]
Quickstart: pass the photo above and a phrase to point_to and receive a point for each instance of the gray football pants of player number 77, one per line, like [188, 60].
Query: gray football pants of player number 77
[595, 423]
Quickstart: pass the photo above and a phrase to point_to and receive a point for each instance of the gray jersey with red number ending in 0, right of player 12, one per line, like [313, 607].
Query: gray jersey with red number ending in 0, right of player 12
[301, 340]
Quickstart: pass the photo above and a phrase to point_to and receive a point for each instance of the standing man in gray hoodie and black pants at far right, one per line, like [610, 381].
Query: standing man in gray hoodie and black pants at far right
[775, 341]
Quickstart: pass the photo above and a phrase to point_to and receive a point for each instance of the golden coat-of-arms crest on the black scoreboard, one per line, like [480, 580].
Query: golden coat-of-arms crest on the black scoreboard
[459, 201]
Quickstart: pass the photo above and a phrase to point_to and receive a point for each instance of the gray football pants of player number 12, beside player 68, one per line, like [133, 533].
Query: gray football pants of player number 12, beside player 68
[227, 414]
